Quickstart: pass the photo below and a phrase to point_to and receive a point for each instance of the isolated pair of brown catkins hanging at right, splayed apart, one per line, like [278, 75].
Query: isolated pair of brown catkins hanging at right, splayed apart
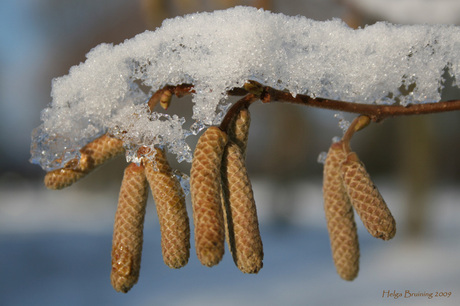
[347, 185]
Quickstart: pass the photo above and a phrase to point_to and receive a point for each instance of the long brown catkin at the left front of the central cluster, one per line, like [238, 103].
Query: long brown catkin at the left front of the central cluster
[205, 188]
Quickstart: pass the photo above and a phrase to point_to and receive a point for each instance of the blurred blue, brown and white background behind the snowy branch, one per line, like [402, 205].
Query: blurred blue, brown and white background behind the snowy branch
[55, 245]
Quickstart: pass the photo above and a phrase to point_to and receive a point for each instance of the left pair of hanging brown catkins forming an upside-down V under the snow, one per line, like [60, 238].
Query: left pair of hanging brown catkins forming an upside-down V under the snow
[172, 214]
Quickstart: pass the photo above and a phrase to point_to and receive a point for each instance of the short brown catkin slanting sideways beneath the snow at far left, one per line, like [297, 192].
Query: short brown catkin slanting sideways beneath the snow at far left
[93, 154]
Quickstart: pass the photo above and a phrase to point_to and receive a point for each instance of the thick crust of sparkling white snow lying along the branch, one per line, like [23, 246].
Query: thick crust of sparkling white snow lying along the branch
[222, 50]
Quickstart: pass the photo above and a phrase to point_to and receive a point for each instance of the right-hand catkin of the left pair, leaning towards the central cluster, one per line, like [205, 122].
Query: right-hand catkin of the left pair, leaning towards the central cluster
[171, 209]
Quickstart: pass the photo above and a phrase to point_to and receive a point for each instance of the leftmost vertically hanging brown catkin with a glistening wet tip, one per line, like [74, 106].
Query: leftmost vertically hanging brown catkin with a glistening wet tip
[128, 229]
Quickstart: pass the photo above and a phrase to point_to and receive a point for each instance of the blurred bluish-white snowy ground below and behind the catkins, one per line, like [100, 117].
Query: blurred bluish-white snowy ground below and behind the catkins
[55, 250]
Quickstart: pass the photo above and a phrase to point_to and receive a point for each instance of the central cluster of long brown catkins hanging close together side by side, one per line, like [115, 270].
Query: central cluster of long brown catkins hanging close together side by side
[222, 198]
